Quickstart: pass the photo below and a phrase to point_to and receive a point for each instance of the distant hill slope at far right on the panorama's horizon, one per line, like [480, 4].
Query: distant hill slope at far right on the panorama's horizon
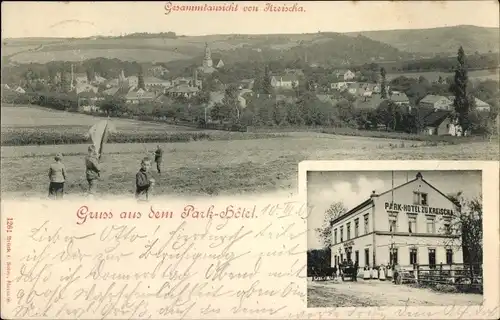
[443, 40]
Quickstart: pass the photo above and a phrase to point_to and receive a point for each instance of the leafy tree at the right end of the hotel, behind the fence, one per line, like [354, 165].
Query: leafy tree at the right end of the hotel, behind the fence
[467, 224]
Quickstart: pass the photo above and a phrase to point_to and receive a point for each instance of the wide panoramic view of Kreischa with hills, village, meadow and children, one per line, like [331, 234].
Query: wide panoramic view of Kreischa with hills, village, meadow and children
[181, 99]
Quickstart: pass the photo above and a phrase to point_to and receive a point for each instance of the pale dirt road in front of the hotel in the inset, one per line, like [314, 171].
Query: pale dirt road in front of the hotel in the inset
[380, 293]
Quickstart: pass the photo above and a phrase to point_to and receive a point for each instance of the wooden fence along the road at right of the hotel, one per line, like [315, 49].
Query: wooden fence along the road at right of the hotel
[462, 276]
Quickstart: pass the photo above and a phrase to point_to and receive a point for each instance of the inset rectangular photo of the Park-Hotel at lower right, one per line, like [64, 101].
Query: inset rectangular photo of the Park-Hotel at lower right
[394, 238]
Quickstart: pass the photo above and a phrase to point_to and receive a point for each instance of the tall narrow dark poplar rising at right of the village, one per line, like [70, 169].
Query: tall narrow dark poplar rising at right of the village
[459, 88]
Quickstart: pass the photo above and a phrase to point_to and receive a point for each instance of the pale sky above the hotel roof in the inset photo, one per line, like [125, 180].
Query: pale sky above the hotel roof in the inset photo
[353, 187]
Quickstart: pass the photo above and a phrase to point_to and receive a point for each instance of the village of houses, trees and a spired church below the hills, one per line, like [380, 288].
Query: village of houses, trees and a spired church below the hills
[366, 95]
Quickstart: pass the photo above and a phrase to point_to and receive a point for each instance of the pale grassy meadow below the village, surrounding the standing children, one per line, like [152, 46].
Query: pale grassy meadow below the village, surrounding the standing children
[243, 163]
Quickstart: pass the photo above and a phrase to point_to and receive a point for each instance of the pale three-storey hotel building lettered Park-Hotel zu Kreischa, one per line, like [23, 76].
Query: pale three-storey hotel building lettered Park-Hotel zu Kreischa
[409, 224]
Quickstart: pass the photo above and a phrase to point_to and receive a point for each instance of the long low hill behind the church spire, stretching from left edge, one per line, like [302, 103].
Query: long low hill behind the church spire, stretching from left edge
[320, 48]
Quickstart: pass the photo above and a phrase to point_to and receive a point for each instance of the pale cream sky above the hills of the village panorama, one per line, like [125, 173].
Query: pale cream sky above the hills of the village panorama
[84, 19]
